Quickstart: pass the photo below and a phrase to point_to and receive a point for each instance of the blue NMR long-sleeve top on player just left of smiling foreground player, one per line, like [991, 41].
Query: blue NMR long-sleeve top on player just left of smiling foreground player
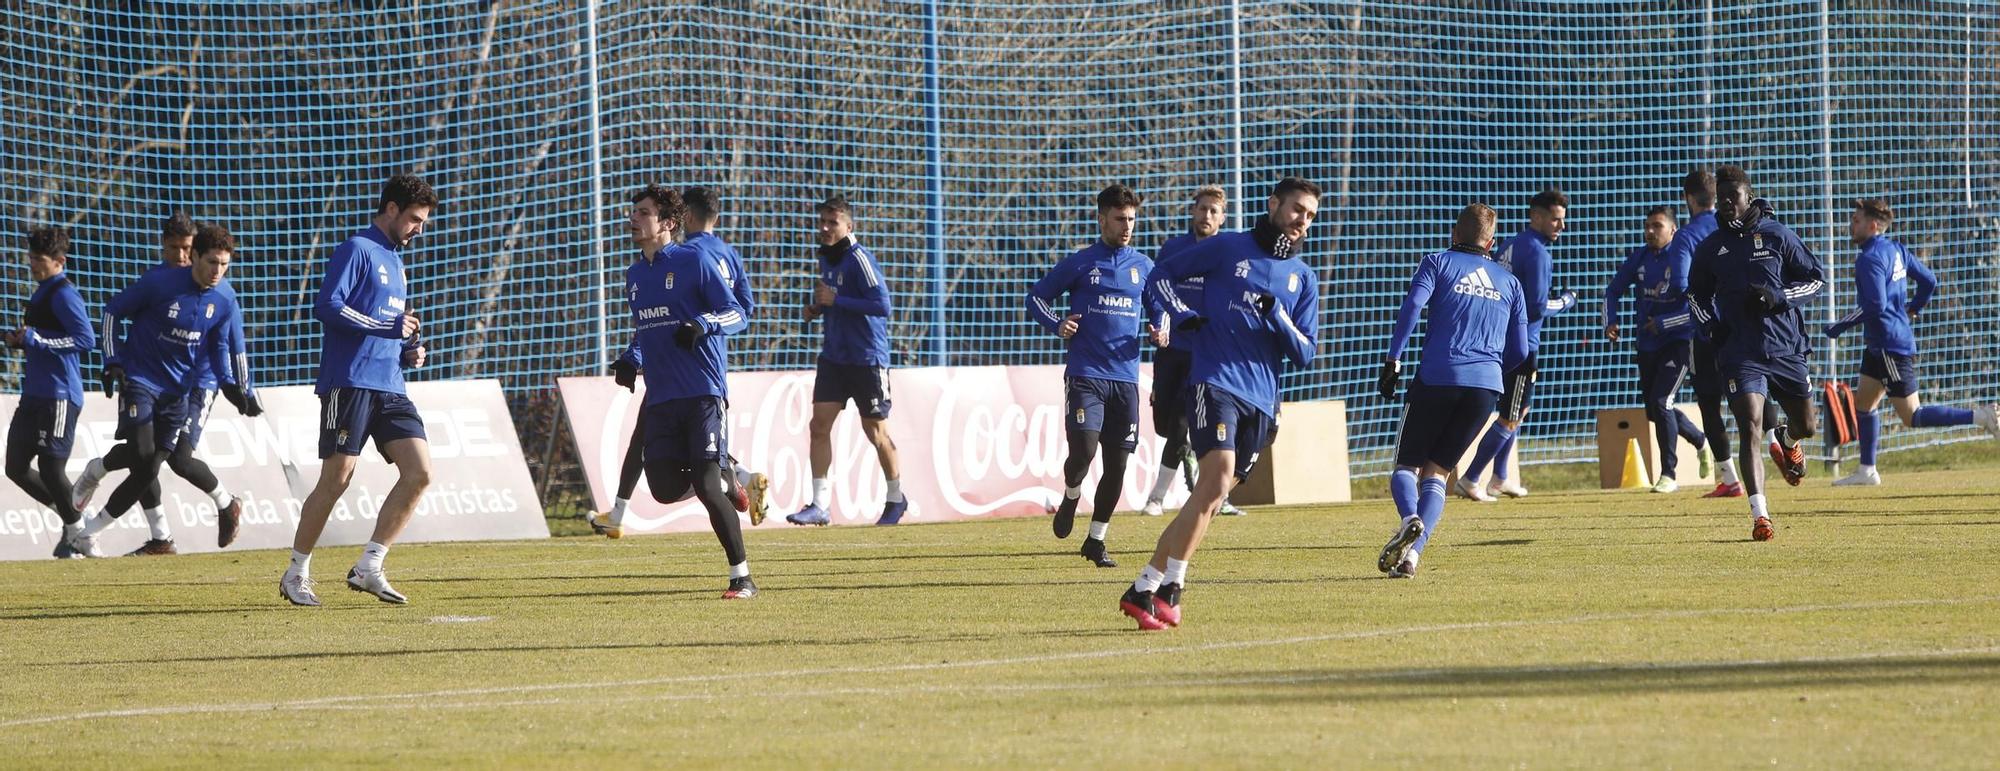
[1105, 289]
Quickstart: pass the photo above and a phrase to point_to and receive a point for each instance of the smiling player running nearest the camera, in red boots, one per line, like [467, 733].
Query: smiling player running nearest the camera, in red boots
[1261, 307]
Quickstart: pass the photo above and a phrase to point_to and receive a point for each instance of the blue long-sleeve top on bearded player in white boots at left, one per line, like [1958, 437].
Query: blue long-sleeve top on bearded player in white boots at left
[361, 307]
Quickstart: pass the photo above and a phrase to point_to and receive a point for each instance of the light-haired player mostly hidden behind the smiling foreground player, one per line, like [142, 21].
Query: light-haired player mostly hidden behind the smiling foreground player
[1171, 363]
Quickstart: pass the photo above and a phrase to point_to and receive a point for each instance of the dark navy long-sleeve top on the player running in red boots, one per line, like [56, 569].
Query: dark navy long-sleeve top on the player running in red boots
[1727, 273]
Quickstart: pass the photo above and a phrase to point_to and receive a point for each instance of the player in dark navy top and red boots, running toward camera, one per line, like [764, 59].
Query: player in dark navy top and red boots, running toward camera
[1747, 287]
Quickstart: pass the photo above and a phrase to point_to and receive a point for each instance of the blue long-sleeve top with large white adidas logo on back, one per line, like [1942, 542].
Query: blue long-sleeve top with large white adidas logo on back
[1479, 321]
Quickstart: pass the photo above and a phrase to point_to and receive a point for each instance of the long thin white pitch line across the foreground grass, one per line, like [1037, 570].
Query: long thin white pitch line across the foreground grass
[373, 700]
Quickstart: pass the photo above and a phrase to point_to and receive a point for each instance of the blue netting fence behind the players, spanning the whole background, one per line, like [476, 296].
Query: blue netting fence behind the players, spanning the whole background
[971, 137]
